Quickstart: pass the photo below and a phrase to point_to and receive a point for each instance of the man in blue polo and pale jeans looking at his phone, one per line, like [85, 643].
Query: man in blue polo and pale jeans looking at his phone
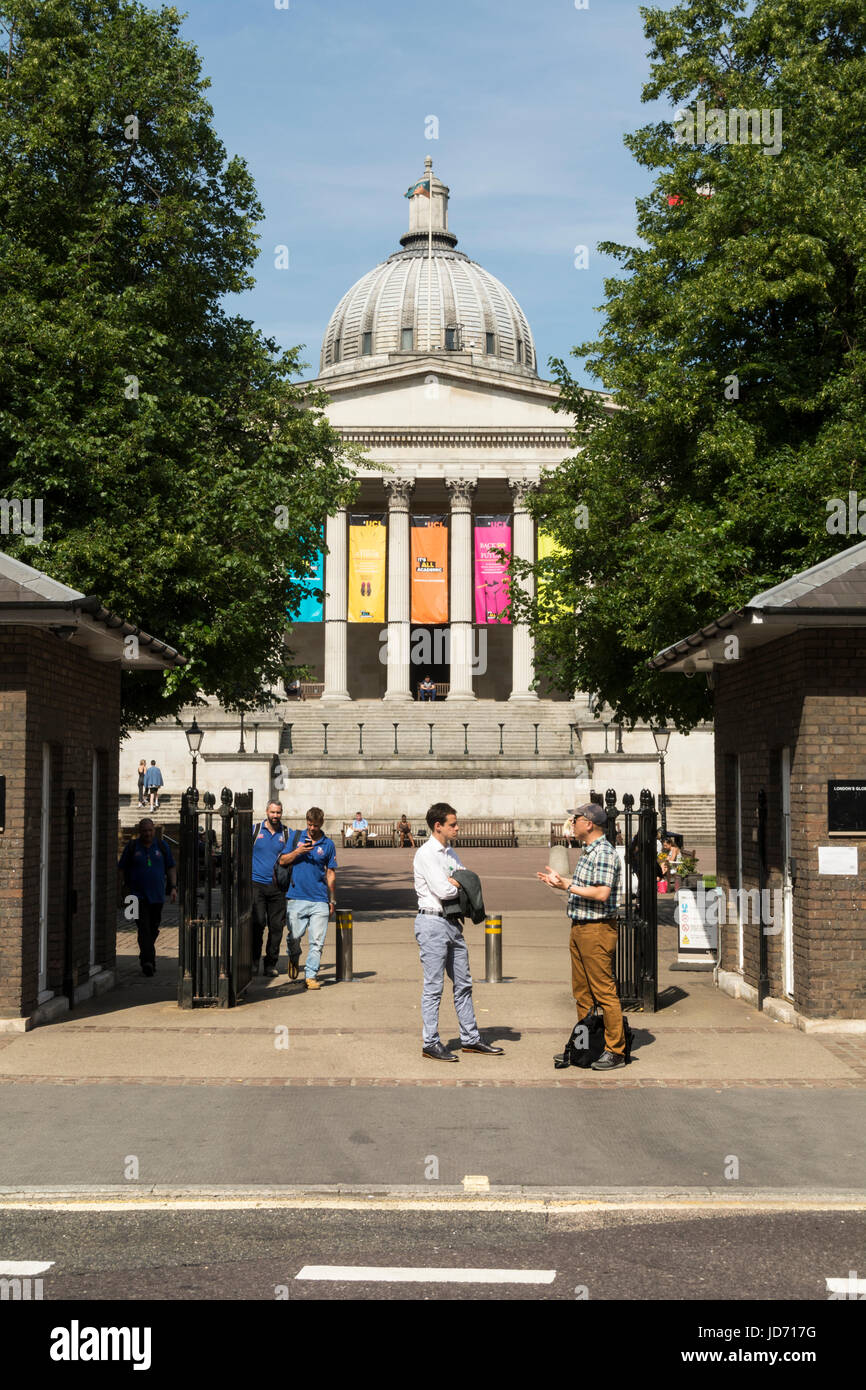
[311, 901]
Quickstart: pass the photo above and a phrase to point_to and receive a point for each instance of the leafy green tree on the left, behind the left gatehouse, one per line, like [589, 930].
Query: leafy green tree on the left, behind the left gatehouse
[183, 473]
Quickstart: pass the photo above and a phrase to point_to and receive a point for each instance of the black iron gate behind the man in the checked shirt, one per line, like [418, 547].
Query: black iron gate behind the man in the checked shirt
[637, 956]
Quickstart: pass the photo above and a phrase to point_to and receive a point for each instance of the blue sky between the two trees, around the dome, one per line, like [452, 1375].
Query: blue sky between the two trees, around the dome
[327, 104]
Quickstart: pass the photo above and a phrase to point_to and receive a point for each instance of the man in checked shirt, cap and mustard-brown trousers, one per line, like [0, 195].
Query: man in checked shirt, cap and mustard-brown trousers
[594, 899]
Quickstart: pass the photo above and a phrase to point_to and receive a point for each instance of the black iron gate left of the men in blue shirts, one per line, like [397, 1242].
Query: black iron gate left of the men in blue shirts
[216, 900]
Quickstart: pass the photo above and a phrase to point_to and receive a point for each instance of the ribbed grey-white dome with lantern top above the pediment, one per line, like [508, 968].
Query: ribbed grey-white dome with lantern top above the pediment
[429, 298]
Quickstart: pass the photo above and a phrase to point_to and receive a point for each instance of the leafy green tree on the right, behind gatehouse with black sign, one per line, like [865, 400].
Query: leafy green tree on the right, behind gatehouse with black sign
[733, 351]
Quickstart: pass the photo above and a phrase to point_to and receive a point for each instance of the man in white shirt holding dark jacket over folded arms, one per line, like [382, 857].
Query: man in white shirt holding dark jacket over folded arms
[441, 939]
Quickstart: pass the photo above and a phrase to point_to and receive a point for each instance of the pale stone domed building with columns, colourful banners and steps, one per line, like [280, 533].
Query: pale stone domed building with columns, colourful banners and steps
[430, 368]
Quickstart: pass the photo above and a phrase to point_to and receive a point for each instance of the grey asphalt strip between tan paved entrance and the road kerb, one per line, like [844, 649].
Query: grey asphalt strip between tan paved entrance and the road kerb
[361, 1135]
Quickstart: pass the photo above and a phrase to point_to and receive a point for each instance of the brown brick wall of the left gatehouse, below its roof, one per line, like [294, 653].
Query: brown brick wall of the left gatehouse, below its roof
[54, 693]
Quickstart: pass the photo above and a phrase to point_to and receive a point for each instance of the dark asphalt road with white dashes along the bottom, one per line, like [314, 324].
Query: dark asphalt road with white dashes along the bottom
[258, 1254]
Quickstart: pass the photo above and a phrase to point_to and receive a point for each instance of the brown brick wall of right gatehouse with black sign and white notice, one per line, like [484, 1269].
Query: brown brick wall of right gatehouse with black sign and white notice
[807, 693]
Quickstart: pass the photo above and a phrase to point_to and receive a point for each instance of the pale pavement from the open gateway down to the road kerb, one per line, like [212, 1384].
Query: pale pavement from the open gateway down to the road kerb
[717, 1095]
